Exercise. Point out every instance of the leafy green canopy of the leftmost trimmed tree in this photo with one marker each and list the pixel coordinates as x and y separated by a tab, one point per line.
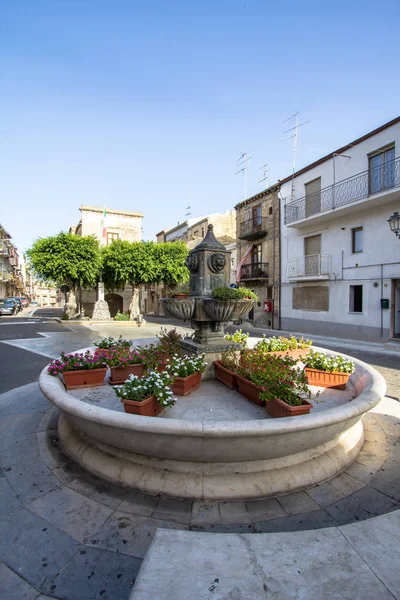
66	259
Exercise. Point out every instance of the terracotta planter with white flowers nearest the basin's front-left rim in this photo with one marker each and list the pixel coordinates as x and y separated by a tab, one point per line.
147	396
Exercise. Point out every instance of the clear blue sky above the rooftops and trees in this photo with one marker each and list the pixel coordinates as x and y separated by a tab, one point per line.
139	105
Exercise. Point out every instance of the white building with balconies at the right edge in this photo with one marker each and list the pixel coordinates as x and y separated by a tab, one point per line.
340	263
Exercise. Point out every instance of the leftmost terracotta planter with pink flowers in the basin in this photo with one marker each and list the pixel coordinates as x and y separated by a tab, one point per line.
79	369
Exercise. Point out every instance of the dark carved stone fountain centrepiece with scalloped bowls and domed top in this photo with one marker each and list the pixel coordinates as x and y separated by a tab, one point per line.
209	266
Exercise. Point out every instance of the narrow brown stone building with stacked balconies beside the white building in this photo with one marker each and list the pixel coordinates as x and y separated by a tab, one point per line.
258	254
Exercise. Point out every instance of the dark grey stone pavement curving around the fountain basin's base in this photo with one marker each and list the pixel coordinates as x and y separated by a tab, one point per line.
68	535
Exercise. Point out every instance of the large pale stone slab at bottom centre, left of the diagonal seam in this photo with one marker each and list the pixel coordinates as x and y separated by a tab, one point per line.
310	564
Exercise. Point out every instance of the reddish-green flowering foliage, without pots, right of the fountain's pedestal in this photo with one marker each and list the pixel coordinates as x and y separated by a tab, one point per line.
278	377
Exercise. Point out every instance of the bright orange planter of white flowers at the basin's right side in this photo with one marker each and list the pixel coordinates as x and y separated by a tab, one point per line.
328	371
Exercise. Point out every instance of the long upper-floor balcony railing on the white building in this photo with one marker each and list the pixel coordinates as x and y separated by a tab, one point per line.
363	185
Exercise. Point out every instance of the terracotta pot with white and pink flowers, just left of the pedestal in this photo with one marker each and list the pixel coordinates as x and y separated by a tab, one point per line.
186	371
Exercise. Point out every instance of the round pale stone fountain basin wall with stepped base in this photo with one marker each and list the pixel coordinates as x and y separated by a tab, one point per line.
215	460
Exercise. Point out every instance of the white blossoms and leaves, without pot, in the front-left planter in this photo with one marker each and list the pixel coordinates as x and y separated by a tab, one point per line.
153	384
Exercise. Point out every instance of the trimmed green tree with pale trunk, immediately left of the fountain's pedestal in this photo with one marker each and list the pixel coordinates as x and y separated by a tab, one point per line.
143	263
